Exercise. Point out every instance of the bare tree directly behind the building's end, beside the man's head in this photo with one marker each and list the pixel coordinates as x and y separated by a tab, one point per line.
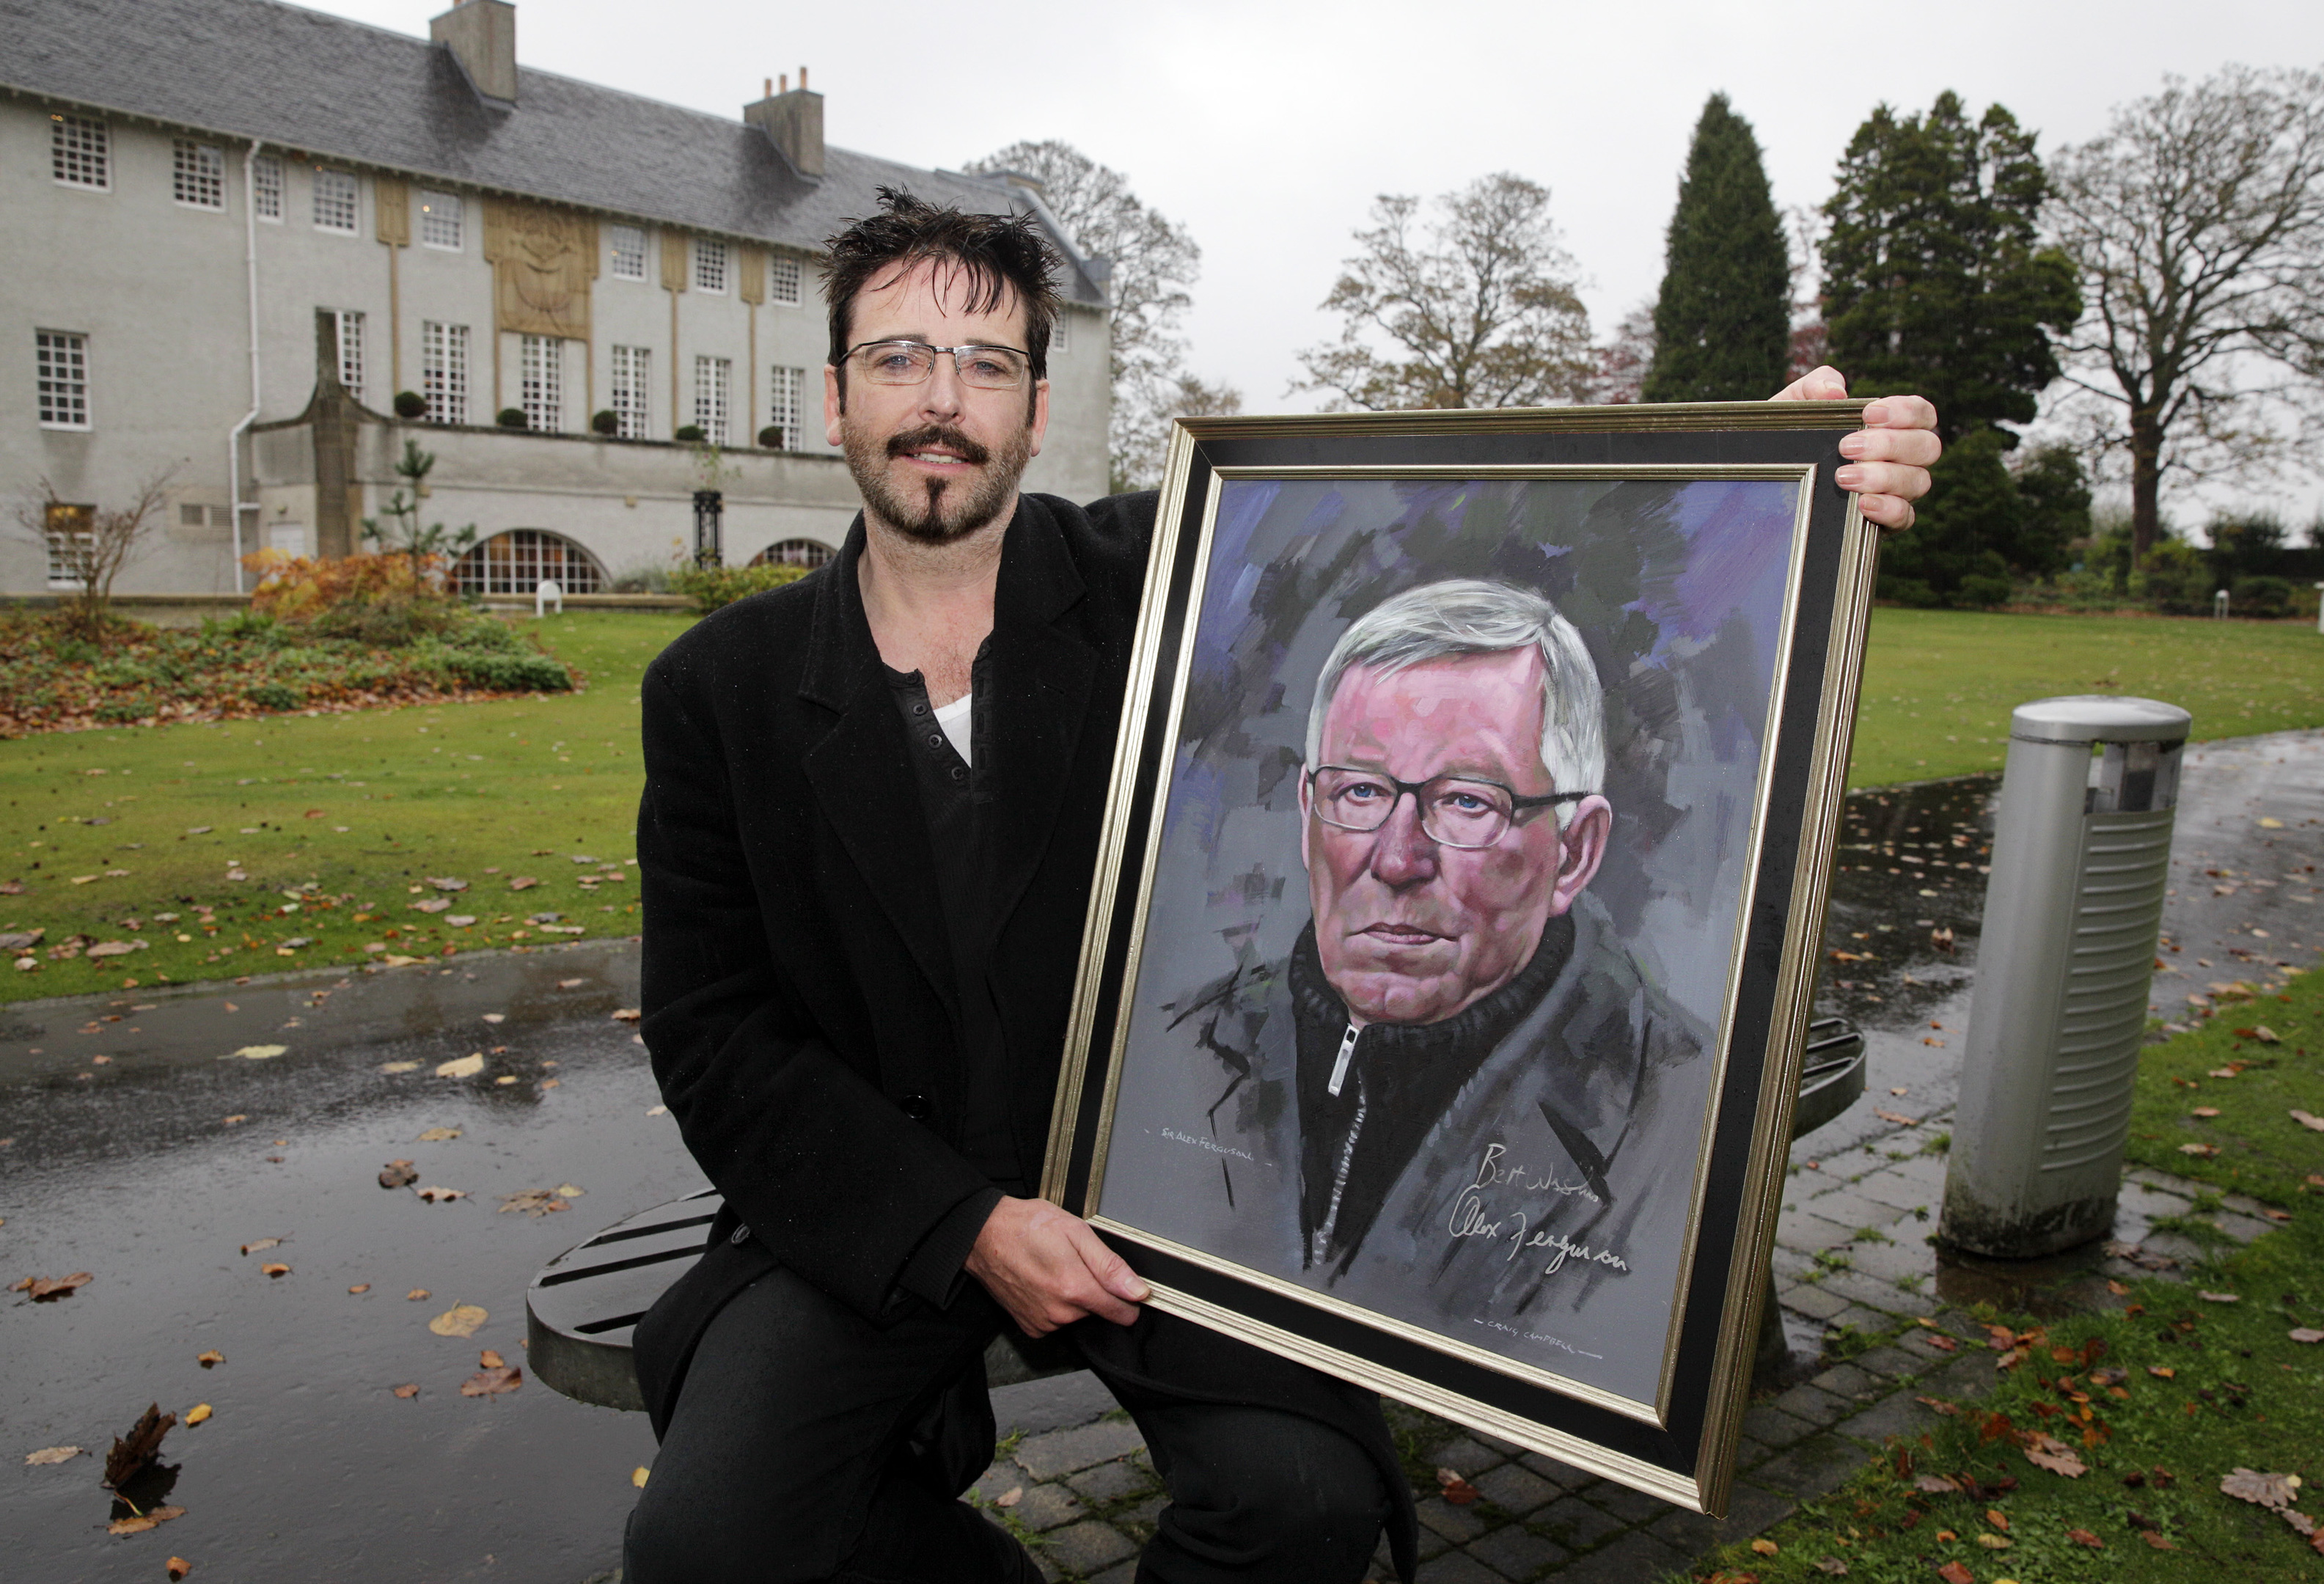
1154	261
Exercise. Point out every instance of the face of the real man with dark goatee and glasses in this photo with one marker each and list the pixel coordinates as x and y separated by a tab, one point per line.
935	461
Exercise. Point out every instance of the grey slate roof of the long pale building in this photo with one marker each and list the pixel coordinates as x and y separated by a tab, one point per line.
347	92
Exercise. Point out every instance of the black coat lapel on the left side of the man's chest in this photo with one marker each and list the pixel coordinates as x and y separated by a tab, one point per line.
863	772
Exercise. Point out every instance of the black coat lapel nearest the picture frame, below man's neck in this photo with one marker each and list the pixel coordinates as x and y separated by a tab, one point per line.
1042	679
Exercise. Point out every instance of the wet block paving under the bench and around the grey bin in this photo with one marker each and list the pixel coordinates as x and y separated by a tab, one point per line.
1853	1272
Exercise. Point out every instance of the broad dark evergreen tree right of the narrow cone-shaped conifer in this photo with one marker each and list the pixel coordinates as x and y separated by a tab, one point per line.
1935	273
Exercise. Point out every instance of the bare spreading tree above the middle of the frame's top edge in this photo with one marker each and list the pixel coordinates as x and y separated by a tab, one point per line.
1477	310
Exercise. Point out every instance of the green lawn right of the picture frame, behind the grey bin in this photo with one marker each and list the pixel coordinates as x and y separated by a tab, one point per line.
1939	686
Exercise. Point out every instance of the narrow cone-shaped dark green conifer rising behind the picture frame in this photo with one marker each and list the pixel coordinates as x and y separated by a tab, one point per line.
1723	324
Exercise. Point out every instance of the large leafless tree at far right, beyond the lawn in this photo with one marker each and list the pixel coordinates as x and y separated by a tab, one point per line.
2197	224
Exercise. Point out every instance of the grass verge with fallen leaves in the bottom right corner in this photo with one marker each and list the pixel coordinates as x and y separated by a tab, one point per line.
2158	1404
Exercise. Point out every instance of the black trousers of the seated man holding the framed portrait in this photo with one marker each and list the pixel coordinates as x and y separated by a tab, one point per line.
815	1446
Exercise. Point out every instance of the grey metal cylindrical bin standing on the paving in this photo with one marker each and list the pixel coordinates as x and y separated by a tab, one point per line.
2065	965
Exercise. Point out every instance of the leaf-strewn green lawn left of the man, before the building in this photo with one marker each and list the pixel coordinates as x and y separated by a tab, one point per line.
131	835
